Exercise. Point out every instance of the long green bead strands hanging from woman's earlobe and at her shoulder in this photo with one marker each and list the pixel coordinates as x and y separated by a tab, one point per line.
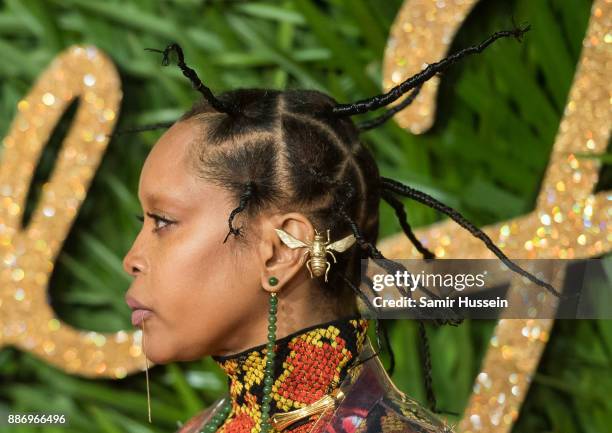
223	412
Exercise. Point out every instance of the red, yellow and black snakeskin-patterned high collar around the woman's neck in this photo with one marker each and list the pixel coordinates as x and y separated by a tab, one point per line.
309	364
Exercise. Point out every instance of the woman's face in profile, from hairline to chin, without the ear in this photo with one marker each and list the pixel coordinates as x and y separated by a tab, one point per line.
198	288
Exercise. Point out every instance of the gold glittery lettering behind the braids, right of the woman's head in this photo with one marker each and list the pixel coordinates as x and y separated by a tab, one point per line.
569	221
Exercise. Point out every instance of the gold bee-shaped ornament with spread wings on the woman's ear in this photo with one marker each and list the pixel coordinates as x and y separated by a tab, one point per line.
318	250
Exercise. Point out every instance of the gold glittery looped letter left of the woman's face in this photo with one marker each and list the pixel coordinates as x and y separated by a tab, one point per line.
28	254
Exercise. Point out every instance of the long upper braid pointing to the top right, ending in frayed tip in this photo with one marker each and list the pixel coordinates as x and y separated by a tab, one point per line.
418	79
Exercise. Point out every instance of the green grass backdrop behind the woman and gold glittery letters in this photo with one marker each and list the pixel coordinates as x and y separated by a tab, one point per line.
497	117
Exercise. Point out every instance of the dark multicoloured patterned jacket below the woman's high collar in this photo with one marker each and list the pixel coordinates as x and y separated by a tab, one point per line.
371	404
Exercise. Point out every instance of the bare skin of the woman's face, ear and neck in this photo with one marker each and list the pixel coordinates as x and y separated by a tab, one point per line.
207	297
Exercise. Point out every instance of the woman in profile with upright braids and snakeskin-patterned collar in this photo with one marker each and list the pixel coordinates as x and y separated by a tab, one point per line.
278	168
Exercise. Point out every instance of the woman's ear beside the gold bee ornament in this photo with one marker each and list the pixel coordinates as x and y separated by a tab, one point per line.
277	259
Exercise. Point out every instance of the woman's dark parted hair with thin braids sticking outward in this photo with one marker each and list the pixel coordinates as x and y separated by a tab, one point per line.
299	149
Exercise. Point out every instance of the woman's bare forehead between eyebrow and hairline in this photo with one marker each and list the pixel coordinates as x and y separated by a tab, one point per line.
166	175
